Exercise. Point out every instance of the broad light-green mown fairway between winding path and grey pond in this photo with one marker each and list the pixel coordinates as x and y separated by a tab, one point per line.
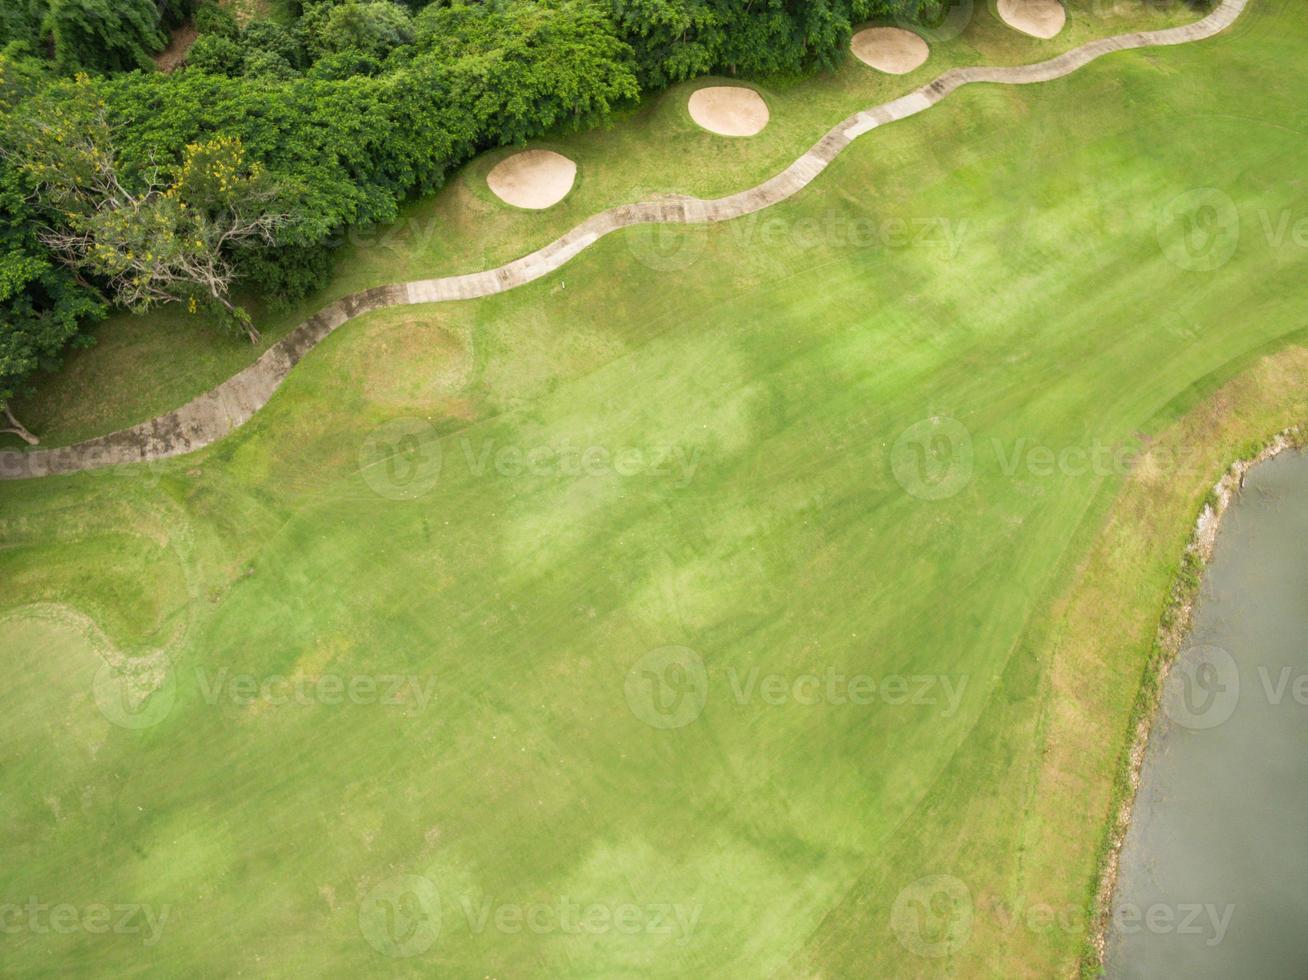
785	366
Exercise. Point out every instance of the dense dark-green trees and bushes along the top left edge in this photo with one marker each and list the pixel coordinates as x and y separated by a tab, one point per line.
342	108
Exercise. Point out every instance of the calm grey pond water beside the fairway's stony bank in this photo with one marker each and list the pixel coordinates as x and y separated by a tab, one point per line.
1214	872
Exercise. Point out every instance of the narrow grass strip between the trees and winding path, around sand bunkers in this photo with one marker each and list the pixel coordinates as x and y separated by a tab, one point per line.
145	366
